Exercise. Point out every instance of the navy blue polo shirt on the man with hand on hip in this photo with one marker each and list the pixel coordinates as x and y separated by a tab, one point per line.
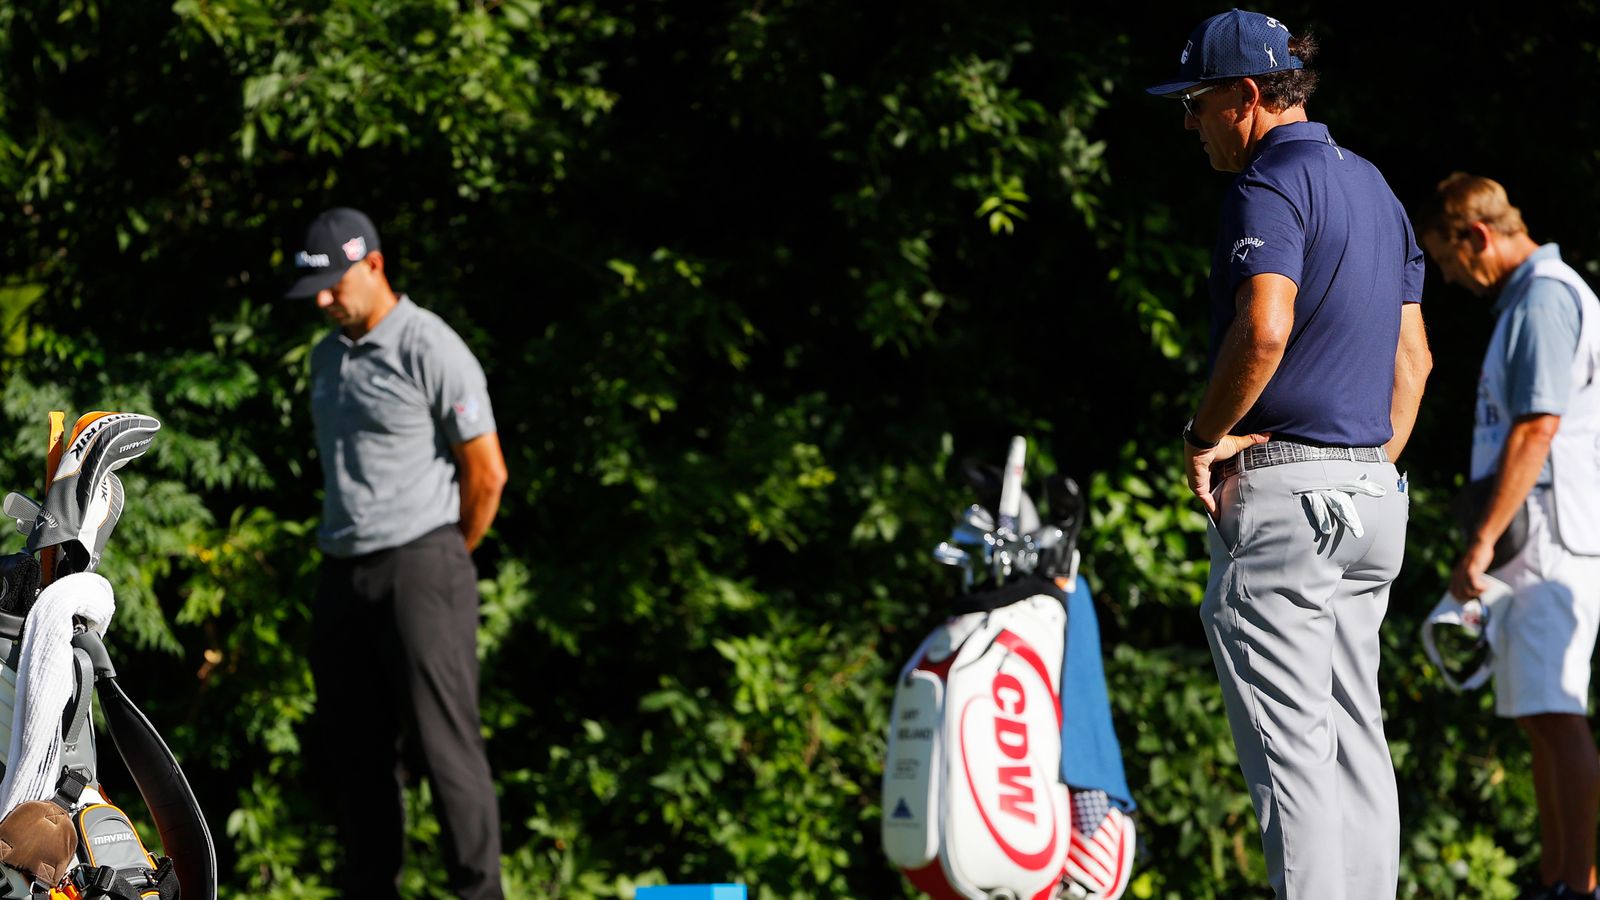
1327	220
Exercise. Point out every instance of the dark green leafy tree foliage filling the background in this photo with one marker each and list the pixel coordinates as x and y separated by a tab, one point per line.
748	281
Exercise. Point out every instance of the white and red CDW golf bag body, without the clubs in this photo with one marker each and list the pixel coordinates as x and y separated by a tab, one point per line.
974	803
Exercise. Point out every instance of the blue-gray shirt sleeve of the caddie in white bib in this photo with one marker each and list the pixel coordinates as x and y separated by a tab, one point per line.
1542	342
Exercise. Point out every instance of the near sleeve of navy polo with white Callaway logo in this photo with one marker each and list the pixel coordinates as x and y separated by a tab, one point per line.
1262	233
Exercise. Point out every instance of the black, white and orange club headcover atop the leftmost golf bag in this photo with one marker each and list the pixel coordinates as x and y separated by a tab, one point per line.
86	499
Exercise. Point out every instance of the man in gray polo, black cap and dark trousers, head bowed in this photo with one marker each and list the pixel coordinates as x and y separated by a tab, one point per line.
412	480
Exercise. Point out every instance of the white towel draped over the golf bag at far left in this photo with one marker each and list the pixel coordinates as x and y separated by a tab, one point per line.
44	685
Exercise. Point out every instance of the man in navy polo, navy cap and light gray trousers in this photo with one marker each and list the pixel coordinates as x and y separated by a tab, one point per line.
1318	368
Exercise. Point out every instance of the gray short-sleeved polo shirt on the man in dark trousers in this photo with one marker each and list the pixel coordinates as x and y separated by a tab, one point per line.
388	409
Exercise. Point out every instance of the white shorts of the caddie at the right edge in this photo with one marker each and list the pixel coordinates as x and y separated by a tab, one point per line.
1548	629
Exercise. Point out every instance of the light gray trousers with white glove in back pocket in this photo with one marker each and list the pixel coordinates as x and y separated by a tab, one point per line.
1292	616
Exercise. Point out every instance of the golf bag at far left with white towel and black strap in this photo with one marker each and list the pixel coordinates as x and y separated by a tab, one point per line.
60	834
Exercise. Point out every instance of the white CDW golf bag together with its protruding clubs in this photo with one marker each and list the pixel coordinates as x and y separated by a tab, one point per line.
974	802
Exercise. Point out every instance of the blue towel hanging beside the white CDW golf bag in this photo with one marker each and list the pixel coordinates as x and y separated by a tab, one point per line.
1090	753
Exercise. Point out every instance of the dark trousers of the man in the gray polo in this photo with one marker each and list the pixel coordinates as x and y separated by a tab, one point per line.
394	654
